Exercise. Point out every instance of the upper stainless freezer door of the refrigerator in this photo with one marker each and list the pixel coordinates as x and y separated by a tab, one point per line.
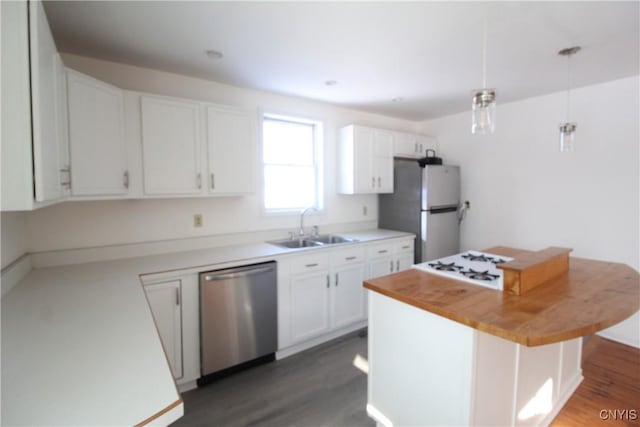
440	186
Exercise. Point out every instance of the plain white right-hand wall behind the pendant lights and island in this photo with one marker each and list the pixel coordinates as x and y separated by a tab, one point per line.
525	193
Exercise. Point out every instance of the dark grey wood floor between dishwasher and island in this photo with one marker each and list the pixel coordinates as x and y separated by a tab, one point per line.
318	387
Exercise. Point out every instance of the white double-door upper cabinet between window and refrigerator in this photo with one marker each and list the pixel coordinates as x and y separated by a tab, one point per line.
365	160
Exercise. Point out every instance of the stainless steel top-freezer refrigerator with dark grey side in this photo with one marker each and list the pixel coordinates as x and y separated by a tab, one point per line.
425	202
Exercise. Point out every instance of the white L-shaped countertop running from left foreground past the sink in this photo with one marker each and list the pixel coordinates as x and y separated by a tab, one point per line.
79	345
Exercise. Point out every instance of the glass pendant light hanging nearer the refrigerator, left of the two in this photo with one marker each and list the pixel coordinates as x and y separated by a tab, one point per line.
483	103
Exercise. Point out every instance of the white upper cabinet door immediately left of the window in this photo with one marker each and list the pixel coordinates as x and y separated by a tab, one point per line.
232	151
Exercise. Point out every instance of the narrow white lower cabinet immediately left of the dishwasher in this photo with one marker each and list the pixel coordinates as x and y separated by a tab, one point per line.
174	305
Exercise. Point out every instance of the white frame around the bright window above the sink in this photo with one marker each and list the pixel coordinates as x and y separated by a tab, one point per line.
318	161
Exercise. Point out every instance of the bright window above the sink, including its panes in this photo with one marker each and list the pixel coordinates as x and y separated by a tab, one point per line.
291	149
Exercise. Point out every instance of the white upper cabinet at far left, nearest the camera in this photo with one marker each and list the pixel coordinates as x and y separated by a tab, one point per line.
33	132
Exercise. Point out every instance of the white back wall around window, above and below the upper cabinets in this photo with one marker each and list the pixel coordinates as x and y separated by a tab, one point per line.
88	224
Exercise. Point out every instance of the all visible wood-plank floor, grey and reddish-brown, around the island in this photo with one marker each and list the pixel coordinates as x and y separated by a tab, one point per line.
321	387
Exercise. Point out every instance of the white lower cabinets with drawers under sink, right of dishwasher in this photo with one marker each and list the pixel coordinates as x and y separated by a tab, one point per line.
321	293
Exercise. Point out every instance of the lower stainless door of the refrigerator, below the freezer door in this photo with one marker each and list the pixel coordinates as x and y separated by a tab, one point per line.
440	234
